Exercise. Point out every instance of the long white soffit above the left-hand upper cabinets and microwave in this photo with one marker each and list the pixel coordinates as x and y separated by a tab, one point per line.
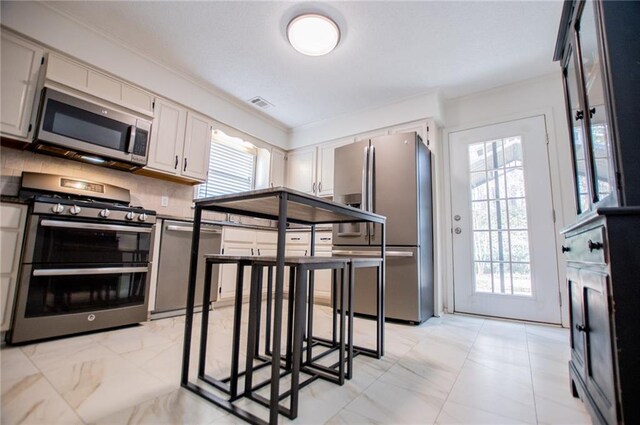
66	35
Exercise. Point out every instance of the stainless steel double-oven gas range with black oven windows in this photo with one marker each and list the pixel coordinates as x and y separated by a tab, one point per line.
85	263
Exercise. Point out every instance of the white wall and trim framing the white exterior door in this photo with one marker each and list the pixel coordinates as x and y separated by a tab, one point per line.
542	95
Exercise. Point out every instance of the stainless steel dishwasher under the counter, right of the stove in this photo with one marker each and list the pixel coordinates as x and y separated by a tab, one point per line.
173	268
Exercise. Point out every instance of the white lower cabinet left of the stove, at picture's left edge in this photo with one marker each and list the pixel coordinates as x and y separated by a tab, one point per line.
12	223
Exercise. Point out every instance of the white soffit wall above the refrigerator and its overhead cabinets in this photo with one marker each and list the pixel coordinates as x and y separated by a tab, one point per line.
411	109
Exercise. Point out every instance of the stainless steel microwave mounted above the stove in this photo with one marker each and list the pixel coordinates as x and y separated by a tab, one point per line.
79	129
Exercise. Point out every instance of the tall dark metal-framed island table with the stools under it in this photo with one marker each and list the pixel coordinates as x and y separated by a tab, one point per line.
286	206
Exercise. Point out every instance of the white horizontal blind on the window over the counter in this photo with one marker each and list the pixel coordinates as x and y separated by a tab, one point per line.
231	170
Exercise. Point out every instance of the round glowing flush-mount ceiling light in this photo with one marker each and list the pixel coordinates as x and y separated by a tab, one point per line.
313	35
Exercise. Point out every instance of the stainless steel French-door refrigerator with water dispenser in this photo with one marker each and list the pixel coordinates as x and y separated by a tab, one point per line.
391	176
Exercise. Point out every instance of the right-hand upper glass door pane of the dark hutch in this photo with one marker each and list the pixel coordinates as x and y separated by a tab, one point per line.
599	125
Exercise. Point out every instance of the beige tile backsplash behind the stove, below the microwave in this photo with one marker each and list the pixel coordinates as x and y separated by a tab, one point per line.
145	191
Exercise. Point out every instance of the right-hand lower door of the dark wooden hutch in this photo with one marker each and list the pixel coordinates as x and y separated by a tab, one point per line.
600	379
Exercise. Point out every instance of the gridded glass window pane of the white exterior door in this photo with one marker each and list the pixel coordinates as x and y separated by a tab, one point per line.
499	225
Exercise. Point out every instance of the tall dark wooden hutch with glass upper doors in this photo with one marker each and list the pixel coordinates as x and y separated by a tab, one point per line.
599	51
